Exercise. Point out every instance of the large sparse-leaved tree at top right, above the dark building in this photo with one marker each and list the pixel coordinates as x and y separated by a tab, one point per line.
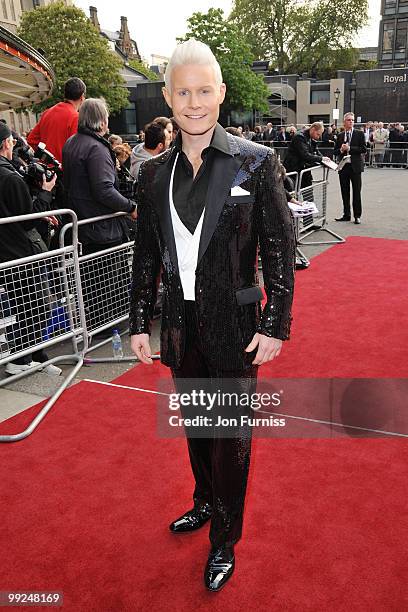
299	36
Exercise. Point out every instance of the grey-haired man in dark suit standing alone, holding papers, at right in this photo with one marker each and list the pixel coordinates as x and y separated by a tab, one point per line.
351	142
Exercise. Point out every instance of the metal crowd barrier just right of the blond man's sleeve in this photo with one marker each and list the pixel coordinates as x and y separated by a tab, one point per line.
317	193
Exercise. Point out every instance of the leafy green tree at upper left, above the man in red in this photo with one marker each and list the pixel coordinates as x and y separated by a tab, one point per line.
74	47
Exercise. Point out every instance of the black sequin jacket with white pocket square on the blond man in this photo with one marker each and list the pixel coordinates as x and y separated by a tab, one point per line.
233	227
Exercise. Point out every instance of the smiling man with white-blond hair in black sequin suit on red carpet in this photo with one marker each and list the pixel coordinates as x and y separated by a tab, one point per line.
203	207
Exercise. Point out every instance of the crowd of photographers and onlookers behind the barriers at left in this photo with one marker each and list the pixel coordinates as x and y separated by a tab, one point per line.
97	176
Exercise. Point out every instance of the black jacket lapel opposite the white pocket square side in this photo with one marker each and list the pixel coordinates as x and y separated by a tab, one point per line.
161	200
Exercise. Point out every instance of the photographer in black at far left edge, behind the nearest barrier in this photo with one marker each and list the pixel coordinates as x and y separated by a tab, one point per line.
26	292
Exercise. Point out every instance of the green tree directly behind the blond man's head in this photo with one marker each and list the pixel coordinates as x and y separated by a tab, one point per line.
245	89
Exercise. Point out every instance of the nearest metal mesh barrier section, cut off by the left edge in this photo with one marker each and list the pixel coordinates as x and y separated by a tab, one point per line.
41	305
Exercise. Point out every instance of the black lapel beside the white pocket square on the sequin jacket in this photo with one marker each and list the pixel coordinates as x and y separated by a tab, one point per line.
223	172
